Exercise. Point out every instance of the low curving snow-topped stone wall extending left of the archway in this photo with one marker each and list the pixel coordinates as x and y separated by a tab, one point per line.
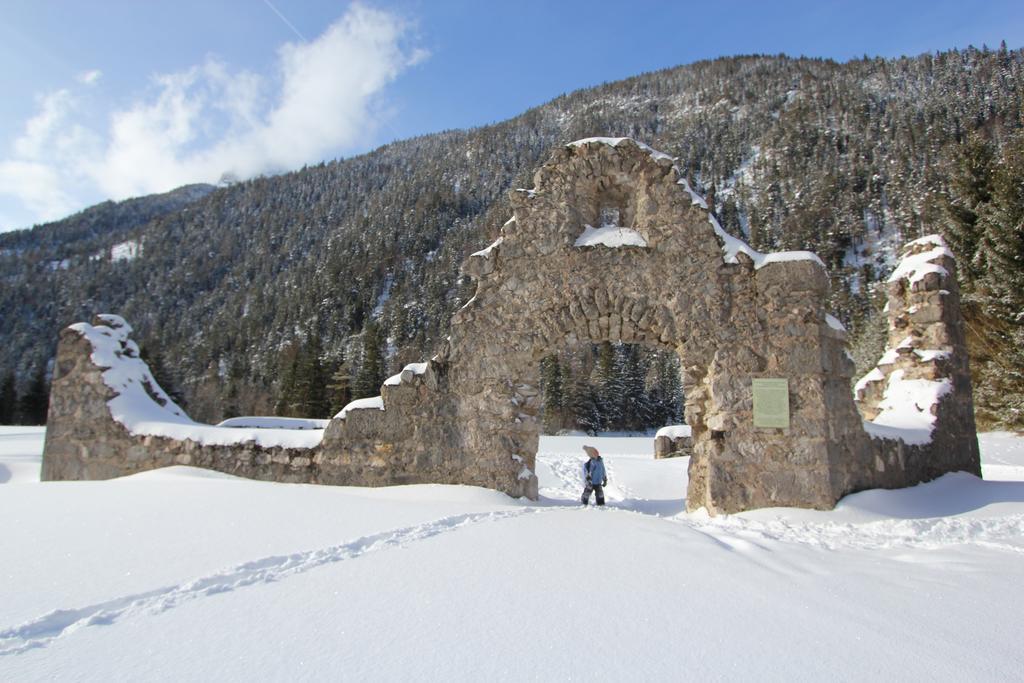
109	417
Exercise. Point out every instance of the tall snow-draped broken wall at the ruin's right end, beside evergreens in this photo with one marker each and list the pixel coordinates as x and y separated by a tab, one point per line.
917	402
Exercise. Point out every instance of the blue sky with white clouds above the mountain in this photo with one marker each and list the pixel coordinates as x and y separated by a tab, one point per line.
123	98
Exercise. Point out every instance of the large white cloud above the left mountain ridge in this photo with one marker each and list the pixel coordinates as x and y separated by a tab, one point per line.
198	124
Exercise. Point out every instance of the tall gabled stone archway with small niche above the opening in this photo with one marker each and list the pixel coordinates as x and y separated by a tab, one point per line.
667	278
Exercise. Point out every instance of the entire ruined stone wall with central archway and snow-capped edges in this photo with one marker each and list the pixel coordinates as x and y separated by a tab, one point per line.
611	245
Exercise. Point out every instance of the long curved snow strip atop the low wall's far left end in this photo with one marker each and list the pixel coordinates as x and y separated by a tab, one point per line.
146	410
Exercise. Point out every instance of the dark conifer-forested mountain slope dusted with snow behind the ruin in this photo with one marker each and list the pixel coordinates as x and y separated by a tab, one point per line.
335	274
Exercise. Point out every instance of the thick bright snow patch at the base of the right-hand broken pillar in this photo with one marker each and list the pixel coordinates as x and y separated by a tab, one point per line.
908	409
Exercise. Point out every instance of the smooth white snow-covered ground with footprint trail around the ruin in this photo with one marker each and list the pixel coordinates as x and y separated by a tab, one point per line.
187	575
